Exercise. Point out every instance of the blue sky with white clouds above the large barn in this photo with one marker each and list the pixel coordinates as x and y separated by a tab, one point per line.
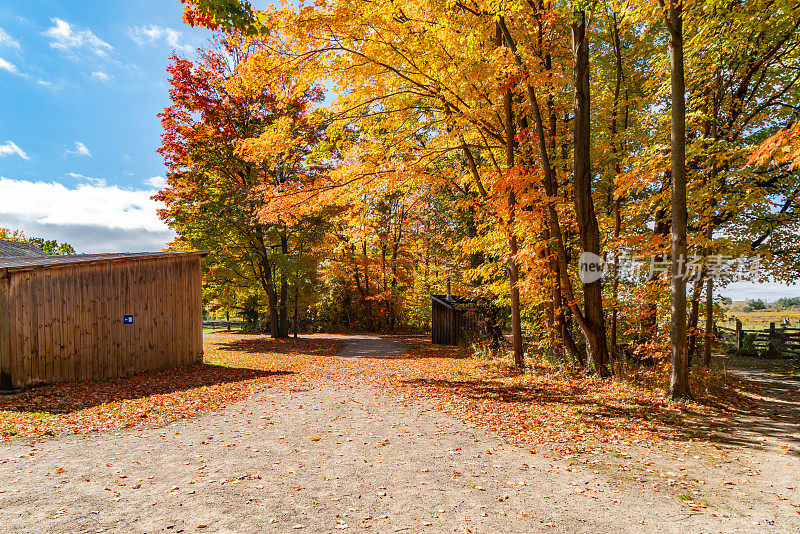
81	83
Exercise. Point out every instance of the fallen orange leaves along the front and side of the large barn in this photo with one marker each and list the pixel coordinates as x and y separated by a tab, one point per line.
236	366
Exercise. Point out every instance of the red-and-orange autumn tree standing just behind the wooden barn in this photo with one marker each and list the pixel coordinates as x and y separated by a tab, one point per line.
232	154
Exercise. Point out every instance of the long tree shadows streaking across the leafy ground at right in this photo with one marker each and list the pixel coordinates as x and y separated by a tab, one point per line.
772	415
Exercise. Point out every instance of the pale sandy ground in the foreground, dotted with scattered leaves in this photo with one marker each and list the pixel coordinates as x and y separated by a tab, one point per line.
328	457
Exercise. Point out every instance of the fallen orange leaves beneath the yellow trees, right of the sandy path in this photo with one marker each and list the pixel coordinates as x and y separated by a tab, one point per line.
573	414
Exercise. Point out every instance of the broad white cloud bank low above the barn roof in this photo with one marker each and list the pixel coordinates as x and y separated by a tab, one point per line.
94	218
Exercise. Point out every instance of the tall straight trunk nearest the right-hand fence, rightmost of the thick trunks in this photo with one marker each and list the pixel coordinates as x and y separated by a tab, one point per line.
679	377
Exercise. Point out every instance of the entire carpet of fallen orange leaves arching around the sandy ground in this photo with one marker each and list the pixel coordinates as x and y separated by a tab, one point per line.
545	407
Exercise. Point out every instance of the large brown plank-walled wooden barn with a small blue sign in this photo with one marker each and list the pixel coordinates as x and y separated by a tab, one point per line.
87	316
